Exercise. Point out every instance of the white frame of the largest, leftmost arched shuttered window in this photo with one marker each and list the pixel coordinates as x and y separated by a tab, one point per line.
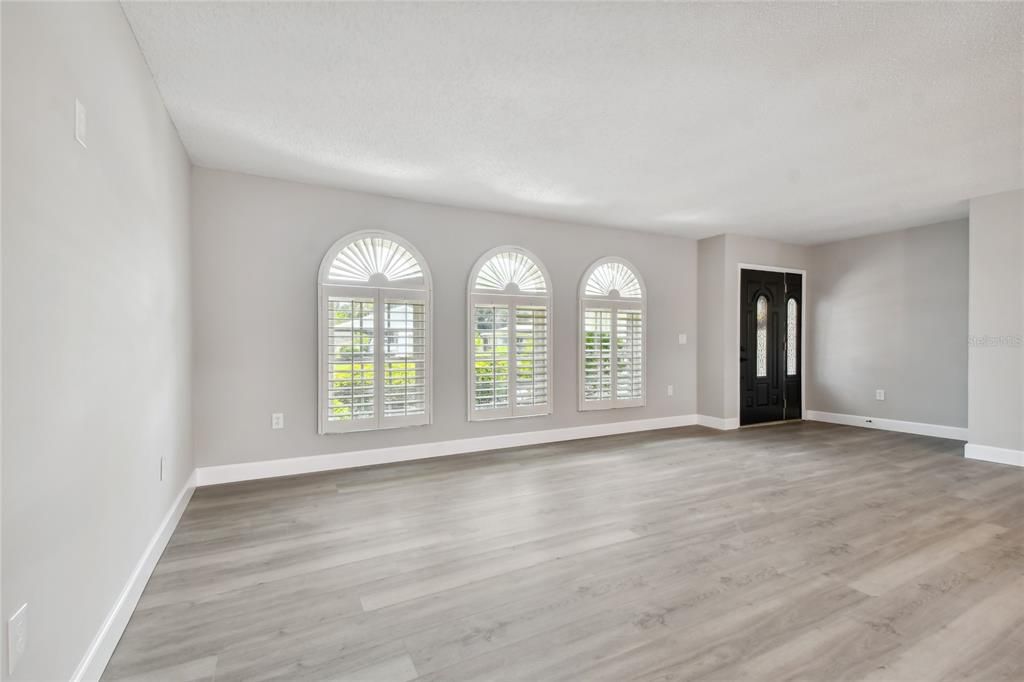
378	289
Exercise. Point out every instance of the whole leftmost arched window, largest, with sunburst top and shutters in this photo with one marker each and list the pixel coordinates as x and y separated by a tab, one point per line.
374	296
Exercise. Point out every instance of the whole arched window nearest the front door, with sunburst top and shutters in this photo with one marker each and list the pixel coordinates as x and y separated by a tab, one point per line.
613	336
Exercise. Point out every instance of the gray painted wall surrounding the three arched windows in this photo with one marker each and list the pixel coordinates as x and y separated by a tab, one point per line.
258	244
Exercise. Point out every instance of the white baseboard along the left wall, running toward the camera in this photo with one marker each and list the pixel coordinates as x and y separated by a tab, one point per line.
100	652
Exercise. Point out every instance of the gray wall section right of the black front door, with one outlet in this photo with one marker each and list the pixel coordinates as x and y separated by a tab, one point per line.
890	312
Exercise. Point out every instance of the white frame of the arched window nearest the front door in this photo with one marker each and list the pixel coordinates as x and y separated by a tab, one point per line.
615	304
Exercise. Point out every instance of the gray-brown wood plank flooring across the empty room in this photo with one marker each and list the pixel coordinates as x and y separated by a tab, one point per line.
800	551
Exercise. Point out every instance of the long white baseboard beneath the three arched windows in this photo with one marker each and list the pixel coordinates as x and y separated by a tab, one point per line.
230	474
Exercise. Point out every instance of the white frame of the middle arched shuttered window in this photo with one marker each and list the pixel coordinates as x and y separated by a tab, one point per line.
513	299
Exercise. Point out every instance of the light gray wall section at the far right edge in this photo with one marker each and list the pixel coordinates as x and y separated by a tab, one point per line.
997	322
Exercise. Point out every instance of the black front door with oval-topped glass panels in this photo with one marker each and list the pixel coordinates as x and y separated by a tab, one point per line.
772	317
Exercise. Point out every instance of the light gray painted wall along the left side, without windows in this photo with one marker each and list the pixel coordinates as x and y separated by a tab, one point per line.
96	322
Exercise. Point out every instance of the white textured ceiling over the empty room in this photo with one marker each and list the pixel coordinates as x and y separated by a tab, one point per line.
799	122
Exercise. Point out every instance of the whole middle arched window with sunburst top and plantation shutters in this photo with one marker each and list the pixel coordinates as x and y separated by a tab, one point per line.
509	336
